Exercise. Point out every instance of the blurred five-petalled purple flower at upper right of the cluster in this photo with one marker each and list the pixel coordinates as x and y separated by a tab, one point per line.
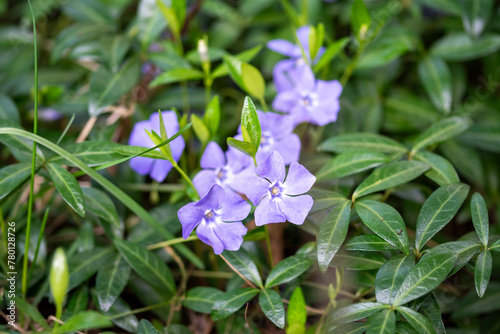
310	100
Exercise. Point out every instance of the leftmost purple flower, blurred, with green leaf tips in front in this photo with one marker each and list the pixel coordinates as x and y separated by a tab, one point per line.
156	168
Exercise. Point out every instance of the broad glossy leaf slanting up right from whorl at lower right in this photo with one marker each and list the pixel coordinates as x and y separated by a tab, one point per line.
425	276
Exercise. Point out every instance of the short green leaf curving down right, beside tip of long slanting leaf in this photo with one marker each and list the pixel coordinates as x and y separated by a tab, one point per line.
442	171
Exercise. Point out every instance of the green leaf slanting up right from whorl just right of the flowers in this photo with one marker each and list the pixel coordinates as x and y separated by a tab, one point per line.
390	176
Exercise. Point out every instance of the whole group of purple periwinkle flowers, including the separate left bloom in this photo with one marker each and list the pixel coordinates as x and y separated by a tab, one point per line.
229	180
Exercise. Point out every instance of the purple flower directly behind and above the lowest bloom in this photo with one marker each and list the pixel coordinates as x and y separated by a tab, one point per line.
225	170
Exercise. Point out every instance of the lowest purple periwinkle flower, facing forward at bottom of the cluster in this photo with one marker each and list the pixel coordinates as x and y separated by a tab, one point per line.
218	217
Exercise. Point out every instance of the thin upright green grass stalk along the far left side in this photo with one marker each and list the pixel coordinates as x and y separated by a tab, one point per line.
33	163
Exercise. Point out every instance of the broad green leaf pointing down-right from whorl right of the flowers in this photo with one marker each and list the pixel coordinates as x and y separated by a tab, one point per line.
385	221
